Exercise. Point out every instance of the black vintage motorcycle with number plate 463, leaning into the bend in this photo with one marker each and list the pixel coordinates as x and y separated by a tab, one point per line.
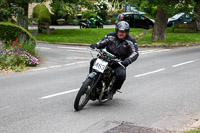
99	82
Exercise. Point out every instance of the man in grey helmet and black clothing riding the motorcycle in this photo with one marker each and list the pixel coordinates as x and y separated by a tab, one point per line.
124	47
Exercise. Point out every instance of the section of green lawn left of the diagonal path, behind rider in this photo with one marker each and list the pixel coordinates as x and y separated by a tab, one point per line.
81	36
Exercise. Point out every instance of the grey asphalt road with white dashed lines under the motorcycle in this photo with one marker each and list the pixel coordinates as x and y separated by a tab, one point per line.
161	91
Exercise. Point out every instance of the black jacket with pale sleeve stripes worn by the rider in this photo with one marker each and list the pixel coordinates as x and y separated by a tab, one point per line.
125	49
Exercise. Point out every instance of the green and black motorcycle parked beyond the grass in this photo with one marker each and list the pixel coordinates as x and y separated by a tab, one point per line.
91	23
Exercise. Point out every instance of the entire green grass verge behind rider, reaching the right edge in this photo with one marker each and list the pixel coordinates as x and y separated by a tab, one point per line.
89	36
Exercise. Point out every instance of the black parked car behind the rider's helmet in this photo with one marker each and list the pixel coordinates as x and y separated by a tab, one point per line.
136	20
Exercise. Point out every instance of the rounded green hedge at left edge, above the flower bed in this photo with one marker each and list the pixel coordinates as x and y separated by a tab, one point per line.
11	32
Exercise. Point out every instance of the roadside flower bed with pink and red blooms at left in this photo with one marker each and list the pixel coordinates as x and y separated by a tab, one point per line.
15	55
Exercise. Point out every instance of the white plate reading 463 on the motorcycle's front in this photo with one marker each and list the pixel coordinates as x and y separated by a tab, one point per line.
100	65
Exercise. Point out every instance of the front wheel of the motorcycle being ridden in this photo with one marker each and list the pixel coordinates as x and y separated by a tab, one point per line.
82	97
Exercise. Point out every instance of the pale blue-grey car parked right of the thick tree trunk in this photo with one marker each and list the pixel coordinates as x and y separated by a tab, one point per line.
180	18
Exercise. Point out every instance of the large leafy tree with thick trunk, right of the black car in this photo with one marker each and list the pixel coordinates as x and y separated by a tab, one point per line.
165	9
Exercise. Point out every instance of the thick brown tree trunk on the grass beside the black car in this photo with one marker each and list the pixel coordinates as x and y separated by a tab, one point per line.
159	30
